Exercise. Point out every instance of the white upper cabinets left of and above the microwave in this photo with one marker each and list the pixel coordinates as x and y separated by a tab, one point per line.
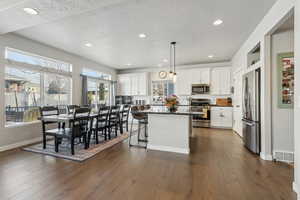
185	79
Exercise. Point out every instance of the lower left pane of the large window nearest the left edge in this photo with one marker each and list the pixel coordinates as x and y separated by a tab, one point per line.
22	95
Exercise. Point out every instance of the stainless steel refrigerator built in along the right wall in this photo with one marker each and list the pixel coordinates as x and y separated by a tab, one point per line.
251	111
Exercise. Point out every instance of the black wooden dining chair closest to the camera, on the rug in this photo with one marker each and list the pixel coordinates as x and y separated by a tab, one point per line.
79	128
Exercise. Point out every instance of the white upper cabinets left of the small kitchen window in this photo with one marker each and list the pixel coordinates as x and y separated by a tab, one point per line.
132	84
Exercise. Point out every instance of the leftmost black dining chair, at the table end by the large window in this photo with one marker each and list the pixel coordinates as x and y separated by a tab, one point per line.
48	111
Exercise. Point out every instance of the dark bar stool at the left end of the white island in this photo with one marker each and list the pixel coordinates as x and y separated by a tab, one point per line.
142	119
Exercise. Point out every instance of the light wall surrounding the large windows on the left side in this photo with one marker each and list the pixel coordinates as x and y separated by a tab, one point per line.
19	135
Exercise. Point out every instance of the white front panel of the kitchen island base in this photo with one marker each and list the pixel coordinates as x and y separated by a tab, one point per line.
169	132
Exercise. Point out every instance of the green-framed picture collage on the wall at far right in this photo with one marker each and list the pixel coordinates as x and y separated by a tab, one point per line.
286	73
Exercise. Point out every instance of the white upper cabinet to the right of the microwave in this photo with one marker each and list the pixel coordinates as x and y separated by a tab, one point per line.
221	81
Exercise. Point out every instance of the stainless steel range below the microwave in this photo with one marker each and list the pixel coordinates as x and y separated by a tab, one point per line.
201	105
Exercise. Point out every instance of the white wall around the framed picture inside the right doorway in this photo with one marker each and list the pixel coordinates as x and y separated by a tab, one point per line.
282	119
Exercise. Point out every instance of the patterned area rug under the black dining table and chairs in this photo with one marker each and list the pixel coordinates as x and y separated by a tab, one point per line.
81	154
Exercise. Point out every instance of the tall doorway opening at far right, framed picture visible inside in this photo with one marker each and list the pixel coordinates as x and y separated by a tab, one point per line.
282	84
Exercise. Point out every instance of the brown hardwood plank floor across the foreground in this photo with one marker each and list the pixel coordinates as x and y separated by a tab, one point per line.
218	168
